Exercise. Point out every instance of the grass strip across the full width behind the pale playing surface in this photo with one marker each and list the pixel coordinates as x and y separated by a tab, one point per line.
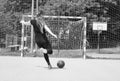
105	53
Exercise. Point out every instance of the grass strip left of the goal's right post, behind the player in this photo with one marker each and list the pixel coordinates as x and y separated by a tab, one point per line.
62	53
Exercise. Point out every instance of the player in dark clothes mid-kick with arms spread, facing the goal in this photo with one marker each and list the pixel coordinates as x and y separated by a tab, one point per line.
41	39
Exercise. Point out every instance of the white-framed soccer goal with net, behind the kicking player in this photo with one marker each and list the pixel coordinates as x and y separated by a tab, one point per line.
71	32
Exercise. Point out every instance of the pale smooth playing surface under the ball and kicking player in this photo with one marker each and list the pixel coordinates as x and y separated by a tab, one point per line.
76	69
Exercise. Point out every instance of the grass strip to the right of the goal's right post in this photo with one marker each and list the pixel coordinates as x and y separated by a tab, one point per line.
104	53
